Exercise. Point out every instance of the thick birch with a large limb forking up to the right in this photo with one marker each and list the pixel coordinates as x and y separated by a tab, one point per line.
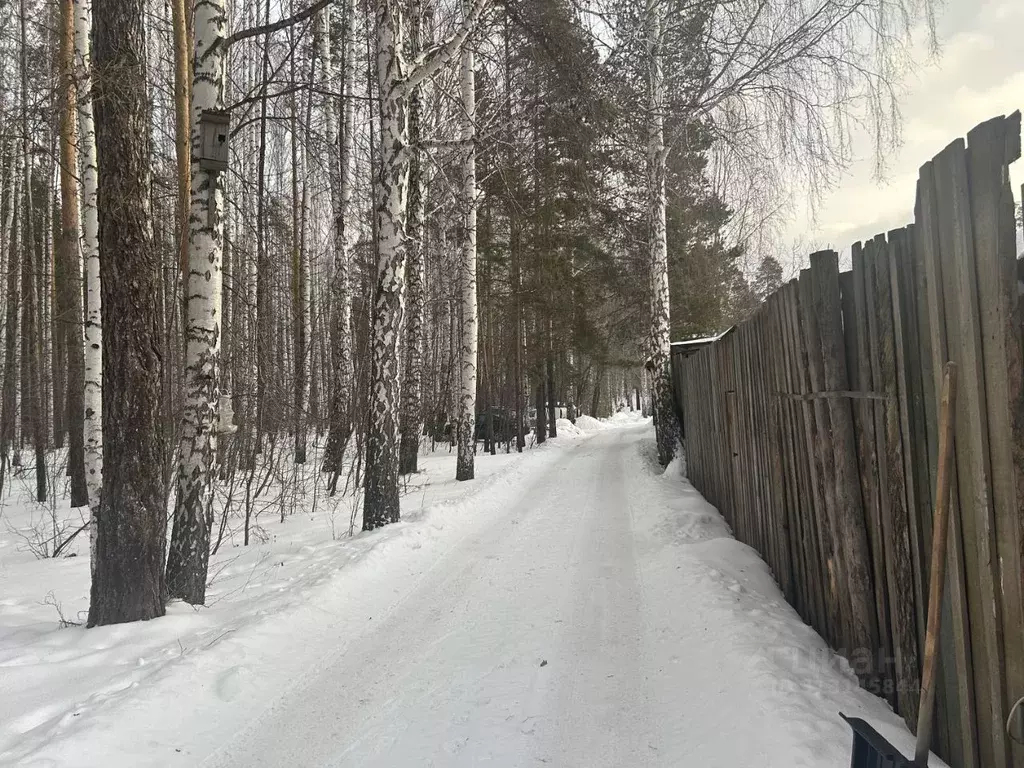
396	78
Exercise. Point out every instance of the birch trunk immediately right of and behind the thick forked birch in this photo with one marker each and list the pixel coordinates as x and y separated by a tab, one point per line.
412	395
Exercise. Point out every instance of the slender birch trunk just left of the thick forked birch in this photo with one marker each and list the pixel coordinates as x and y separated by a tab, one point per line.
342	296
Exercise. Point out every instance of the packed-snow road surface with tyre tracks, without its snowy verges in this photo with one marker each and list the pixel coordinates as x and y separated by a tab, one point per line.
526	646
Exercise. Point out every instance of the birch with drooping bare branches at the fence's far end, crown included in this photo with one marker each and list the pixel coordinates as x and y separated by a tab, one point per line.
777	82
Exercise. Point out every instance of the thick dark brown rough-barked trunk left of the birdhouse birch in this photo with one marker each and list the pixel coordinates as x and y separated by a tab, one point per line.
129	583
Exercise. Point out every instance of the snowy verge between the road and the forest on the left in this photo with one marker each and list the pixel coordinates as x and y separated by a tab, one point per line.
303	581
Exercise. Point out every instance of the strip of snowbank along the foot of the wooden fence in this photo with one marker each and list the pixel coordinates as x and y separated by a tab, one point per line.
743	666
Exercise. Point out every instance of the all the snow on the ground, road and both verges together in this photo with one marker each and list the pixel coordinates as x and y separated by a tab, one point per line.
573	607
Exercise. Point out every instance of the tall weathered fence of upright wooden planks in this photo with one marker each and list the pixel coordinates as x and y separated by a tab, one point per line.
813	428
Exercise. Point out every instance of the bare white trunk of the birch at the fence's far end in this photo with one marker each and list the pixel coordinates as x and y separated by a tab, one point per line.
666	424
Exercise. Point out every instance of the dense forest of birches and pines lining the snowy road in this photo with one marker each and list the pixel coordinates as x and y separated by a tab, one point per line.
247	242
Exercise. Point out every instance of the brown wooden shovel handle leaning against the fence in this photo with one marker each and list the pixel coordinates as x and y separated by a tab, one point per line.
941	531
